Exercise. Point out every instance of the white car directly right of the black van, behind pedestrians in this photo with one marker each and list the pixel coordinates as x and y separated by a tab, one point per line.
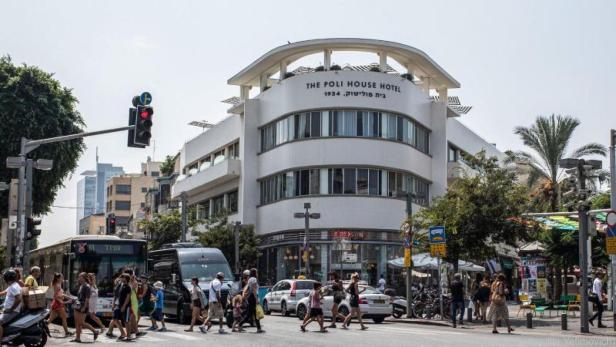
285	294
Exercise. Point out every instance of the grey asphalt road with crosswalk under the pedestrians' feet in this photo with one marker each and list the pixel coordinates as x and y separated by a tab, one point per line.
281	331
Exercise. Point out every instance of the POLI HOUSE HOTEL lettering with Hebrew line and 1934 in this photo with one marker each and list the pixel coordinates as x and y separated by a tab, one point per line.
354	88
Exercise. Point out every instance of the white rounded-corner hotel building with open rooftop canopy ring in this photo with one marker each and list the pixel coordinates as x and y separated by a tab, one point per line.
347	140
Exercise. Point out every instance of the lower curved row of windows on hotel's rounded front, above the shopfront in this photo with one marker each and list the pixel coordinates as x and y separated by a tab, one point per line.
344	180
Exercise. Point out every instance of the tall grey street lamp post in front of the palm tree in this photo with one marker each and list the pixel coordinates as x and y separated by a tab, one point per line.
581	168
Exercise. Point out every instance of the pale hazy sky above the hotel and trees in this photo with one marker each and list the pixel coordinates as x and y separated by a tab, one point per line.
514	59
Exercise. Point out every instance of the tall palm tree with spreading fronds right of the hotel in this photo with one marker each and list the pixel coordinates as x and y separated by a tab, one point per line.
549	137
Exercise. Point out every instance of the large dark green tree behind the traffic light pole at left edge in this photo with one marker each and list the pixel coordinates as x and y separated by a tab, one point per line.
35	105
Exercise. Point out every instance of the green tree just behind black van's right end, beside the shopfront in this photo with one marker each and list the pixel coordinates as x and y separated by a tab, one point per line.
219	234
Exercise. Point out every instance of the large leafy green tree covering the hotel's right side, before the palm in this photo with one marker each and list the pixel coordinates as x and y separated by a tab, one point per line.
478	211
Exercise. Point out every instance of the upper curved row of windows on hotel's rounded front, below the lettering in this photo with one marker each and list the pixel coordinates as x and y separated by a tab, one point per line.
354	123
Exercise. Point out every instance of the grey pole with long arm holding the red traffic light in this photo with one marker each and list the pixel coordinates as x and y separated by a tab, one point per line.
24	192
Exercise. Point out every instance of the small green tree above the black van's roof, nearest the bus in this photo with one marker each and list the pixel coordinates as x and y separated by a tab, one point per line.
163	229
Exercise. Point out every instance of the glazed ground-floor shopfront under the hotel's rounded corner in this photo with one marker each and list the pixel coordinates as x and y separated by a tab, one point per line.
366	252
